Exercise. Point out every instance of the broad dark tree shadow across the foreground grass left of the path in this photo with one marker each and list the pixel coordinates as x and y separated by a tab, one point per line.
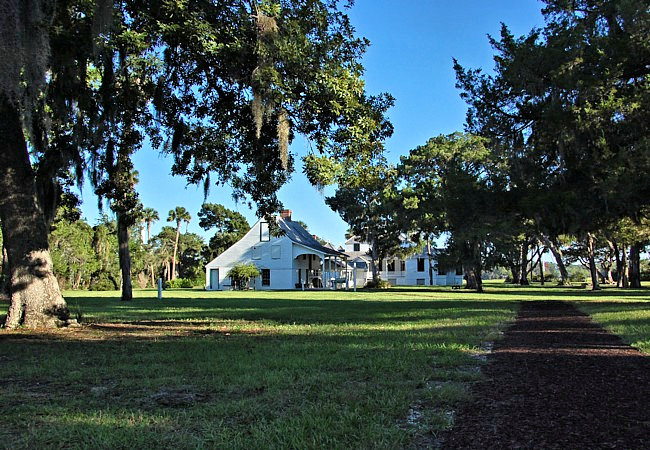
367	377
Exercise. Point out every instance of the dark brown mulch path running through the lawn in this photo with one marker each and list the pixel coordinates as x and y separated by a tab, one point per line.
557	380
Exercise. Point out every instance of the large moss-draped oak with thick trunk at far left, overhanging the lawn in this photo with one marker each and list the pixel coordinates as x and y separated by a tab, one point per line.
237	80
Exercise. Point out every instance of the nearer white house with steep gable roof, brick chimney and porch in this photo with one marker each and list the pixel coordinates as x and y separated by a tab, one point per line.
294	260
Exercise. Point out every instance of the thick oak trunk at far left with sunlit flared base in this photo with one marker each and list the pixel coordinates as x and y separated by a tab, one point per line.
35	298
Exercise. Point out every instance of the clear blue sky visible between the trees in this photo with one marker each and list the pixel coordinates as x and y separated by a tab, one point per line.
412	46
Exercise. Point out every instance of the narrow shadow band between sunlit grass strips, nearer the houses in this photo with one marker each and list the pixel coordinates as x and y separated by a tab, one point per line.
289	311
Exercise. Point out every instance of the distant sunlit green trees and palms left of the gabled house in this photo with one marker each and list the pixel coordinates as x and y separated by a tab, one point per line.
86	256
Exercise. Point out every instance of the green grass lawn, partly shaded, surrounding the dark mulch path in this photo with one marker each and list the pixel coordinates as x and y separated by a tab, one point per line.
327	369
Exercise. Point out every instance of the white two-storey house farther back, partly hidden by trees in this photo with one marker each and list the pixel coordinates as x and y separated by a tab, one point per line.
413	270
